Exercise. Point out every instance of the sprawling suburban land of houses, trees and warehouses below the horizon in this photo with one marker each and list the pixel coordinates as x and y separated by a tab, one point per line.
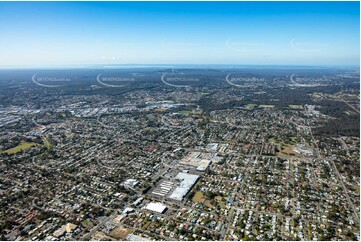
263	160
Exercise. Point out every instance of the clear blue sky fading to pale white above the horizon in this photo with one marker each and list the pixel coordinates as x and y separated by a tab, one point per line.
244	33
